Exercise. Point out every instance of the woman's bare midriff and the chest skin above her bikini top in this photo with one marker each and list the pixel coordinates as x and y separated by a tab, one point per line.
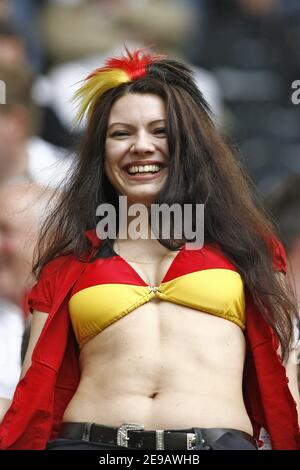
163	365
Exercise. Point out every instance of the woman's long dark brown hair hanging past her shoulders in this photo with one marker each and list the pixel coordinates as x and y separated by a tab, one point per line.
202	169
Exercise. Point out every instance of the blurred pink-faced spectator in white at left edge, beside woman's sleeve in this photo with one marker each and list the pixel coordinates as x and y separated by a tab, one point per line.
21	211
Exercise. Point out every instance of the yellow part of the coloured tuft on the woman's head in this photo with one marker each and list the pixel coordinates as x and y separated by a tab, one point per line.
94	87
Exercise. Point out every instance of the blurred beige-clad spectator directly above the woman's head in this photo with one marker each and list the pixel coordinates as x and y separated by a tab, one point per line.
73	29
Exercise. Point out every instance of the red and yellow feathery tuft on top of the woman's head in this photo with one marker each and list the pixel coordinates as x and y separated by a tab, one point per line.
115	72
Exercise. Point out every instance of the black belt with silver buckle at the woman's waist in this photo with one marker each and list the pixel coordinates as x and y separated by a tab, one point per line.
133	436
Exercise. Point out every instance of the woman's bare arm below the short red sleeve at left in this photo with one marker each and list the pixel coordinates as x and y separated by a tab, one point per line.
38	322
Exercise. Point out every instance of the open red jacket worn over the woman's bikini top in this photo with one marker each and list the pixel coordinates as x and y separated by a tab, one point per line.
43	394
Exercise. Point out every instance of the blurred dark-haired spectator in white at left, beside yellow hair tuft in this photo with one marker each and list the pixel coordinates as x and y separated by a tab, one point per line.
22	153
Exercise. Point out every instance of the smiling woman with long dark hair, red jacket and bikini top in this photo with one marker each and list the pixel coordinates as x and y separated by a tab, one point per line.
159	345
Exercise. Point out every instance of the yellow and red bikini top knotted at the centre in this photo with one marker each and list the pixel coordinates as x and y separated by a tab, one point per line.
110	288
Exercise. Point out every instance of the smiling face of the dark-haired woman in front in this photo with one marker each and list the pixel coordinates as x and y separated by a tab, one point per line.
136	149
